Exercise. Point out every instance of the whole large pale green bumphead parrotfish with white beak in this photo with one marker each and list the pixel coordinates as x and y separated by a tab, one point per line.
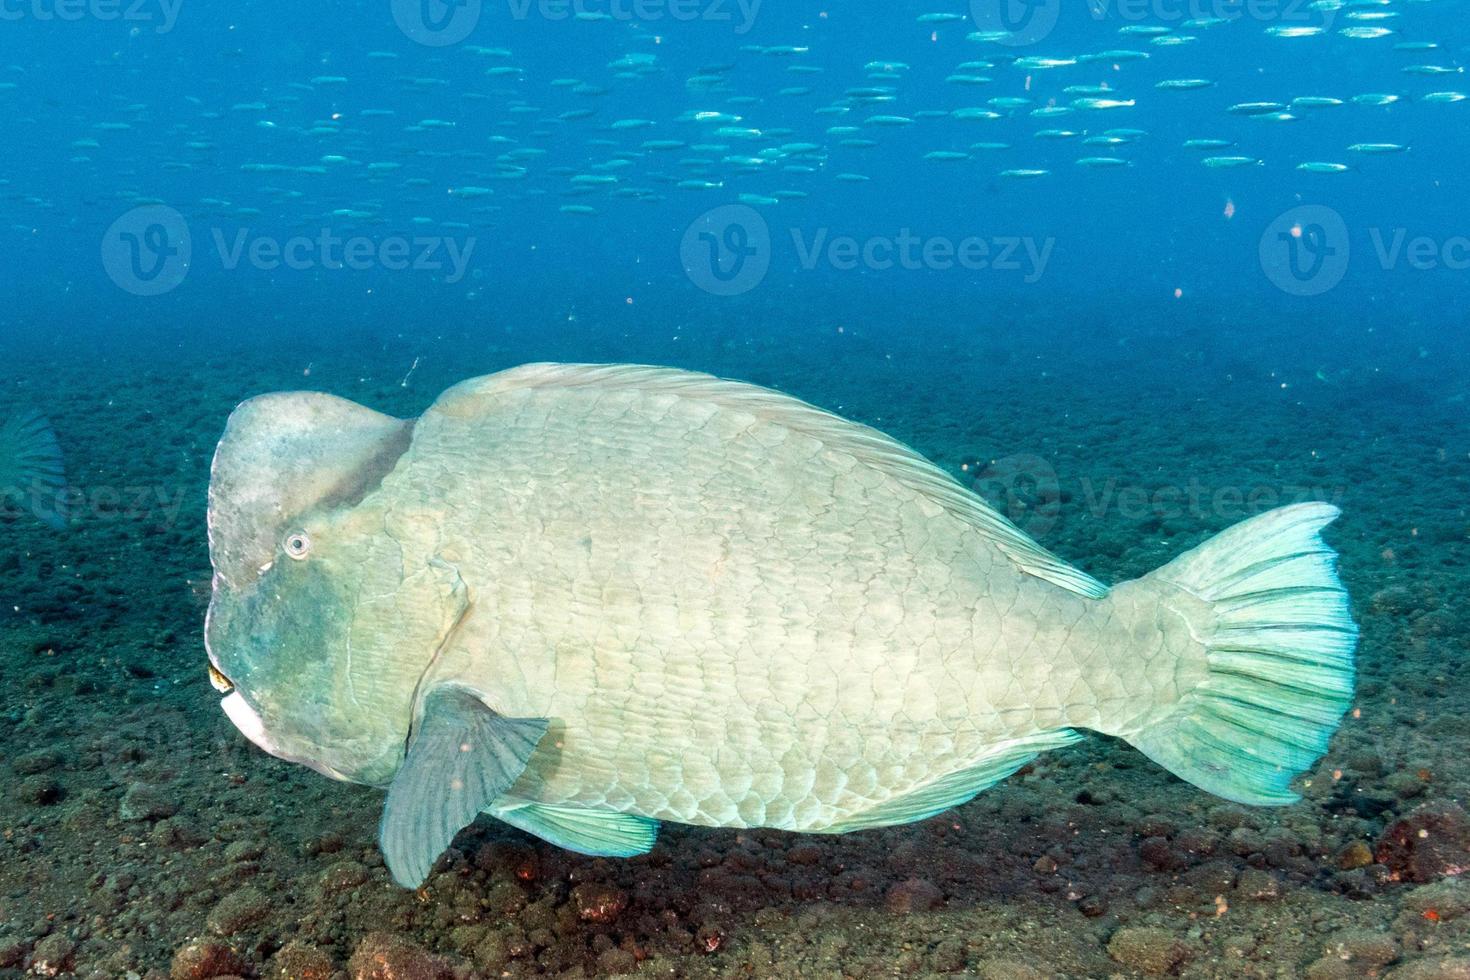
590	599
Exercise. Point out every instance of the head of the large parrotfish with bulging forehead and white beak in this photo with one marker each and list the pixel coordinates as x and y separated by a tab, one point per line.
321	621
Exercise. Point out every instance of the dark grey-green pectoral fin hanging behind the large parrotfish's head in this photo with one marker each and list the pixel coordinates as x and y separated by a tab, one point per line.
462	756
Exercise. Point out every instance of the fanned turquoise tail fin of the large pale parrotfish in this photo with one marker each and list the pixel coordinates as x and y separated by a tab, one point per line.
1280	659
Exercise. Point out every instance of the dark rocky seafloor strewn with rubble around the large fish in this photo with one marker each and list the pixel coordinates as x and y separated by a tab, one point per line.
142	837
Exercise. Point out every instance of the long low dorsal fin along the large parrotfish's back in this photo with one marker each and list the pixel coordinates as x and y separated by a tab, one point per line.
868	446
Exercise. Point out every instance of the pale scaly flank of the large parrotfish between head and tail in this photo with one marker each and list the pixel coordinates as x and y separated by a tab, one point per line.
642	696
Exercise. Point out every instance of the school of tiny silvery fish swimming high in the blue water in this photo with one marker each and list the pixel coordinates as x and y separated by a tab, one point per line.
315	152
